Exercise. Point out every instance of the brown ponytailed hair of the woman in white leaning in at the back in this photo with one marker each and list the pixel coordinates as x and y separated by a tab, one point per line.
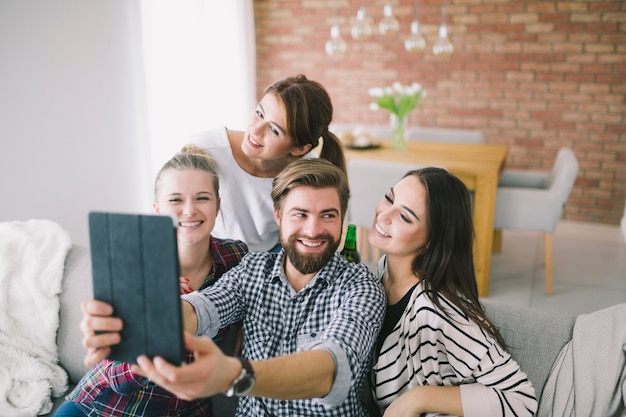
309	112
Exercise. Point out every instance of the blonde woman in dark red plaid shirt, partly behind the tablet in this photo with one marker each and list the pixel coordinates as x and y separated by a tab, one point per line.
188	187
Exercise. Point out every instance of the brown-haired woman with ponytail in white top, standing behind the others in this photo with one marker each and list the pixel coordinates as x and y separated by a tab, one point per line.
289	122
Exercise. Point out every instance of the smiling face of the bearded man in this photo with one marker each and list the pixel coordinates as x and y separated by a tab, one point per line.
310	224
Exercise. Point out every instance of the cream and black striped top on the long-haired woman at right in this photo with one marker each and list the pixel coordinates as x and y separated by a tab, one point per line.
427	347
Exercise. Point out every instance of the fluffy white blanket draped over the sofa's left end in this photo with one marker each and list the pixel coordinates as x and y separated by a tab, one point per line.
32	258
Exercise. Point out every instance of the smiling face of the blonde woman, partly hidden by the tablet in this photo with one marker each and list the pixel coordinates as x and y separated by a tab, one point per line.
190	195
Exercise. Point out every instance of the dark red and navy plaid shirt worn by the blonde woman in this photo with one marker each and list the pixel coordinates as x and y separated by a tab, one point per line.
111	389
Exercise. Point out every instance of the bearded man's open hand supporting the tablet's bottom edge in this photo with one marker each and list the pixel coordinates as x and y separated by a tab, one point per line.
211	373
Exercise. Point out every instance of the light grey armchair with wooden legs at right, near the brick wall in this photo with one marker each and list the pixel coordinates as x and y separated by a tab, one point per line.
534	201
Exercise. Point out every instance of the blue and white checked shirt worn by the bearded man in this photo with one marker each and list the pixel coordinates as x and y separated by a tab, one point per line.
340	311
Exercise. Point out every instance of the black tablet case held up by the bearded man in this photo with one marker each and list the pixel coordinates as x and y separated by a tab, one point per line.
135	269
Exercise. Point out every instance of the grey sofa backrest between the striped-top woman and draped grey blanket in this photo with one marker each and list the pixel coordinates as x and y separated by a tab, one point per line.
533	337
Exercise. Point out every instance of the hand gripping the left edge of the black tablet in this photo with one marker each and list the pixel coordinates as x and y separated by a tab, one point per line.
97	318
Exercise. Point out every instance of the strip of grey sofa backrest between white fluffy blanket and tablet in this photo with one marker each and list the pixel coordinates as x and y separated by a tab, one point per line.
76	287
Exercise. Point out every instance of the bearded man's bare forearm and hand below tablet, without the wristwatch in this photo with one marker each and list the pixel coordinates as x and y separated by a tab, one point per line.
301	375
